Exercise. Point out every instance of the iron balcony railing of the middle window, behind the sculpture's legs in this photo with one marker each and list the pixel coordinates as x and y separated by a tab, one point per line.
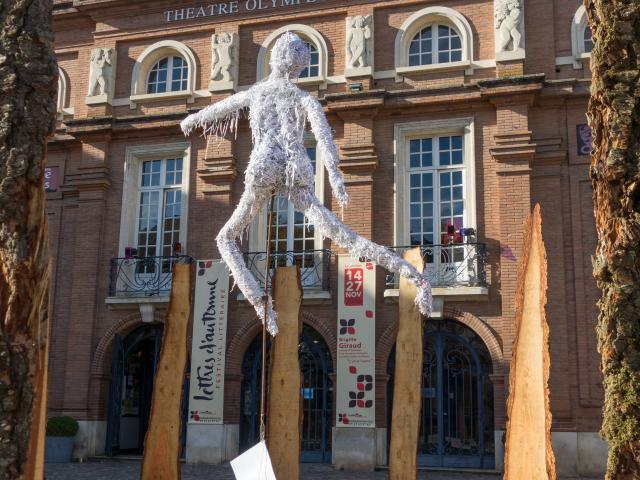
315	266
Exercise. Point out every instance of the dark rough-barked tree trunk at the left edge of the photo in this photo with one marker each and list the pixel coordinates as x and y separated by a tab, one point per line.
28	77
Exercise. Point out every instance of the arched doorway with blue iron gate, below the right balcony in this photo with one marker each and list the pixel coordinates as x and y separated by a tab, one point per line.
456	426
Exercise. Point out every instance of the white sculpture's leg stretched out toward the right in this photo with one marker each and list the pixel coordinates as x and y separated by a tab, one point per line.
329	226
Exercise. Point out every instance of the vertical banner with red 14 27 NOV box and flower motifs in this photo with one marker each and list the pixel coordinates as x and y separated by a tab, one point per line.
355	398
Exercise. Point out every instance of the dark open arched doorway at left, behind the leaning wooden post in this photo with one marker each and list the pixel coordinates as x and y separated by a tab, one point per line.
133	367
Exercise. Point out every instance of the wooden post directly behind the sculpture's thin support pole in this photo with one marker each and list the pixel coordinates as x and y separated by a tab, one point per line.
284	413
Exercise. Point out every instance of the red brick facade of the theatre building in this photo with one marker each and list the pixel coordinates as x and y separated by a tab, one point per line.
525	112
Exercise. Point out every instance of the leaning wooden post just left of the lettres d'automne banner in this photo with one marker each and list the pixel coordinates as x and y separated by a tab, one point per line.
161	458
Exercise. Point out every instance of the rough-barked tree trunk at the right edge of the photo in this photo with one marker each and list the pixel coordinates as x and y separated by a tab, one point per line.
614	116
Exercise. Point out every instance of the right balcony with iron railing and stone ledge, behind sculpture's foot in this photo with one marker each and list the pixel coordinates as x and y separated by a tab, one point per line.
455	270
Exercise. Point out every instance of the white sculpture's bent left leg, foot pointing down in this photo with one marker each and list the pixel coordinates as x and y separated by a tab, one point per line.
250	204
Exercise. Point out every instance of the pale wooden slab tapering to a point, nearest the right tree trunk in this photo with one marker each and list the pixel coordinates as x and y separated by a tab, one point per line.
528	452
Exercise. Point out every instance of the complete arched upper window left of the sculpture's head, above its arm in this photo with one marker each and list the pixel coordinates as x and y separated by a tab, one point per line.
166	69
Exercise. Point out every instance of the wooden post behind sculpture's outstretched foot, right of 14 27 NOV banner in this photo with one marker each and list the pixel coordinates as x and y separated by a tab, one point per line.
407	398
